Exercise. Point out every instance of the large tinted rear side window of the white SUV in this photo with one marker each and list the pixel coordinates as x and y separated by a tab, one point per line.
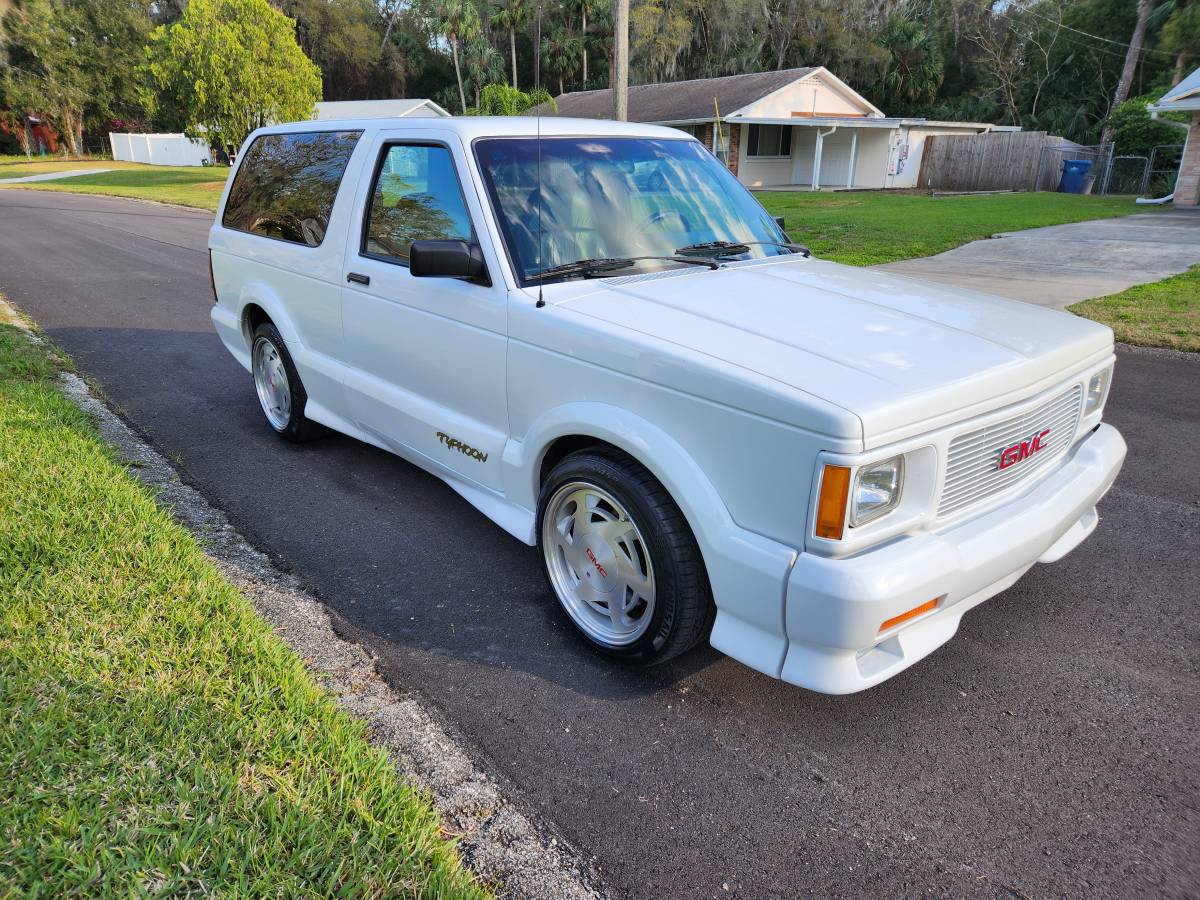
287	184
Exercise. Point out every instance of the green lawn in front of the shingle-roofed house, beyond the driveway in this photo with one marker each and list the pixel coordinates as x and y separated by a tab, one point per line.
863	229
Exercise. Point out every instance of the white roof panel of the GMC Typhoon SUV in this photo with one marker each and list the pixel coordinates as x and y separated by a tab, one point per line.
470	128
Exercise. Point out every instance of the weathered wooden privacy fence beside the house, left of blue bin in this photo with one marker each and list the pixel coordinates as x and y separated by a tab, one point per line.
997	161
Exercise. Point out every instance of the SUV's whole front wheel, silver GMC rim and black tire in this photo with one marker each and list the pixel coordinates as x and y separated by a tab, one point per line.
621	559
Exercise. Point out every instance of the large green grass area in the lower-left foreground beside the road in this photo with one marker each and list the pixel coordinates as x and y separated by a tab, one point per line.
157	737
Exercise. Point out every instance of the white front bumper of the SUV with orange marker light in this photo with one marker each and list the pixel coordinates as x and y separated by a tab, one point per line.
835	608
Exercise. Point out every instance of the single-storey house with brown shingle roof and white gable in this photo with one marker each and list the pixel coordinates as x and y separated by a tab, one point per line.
796	129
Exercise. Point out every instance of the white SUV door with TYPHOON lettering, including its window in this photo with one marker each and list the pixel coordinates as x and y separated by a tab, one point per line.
425	357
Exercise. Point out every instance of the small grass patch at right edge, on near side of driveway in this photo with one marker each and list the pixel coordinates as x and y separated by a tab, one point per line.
1163	314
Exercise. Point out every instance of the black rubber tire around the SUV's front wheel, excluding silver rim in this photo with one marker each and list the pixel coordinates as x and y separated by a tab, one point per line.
683	607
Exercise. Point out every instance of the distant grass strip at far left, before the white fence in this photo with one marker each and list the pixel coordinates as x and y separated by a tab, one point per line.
187	185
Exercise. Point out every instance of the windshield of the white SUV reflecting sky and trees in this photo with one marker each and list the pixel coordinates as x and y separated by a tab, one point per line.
616	199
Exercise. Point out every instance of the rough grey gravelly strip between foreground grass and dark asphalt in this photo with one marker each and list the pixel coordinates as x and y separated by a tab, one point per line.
518	856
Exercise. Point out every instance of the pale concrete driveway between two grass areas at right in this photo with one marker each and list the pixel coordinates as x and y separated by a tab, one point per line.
1064	265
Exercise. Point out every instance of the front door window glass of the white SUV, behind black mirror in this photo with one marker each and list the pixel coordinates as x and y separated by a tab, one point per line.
416	197
